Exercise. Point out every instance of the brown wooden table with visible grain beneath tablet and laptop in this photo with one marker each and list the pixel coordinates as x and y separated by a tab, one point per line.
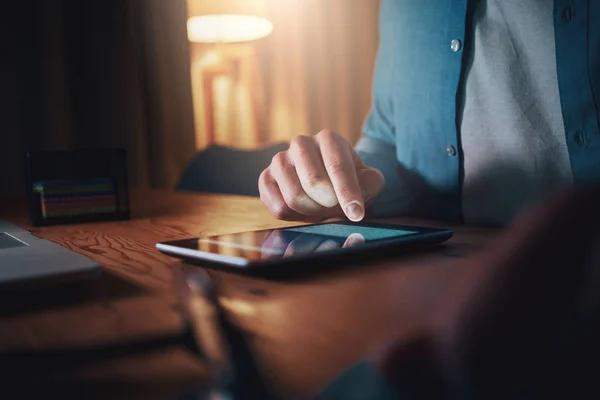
303	332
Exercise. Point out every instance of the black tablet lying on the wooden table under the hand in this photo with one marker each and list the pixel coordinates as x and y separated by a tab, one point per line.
305	247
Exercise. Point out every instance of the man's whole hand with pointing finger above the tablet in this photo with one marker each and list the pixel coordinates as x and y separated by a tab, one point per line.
319	177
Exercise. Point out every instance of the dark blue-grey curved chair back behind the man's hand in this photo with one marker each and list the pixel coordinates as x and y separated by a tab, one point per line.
220	169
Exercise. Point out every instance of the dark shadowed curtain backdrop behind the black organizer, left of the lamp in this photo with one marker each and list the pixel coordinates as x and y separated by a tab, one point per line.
96	73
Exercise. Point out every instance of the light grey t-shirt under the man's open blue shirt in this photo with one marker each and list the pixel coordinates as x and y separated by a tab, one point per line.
512	130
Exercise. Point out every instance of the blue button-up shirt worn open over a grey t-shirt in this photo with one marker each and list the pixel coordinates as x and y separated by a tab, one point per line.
412	127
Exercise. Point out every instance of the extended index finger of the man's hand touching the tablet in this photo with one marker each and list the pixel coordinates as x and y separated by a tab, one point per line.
339	164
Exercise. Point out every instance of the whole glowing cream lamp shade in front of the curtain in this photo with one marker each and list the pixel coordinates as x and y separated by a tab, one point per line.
227	21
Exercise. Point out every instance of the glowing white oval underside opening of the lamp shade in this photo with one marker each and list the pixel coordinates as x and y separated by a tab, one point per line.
227	28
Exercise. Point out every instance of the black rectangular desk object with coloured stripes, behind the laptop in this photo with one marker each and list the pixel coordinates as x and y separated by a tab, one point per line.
75	186
